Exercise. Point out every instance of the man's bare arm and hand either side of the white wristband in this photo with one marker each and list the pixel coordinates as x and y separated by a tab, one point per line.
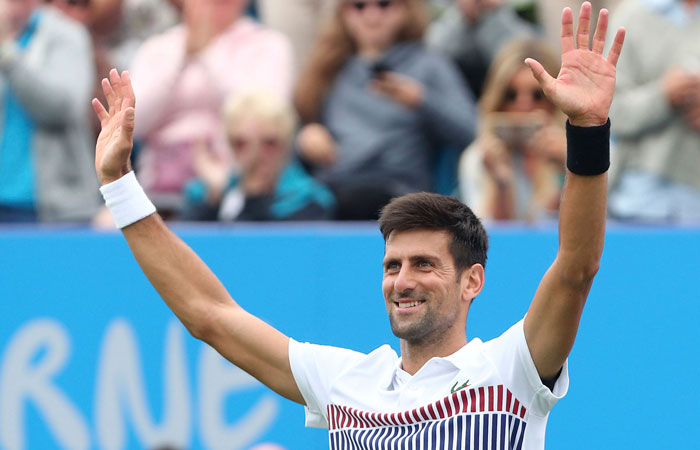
181	278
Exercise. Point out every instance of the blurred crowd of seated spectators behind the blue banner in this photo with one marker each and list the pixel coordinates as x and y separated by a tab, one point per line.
256	110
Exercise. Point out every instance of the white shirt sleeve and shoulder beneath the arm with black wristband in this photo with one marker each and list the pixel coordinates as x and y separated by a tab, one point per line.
511	356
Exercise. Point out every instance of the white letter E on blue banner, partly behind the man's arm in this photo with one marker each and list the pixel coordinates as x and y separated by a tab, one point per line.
217	378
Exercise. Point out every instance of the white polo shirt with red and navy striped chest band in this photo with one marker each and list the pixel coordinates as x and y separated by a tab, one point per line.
487	395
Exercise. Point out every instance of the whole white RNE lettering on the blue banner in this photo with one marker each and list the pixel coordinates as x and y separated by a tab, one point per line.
40	349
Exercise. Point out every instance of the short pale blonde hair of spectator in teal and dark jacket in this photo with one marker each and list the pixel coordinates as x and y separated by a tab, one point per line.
263	105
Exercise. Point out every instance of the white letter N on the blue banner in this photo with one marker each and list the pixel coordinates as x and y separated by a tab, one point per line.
120	384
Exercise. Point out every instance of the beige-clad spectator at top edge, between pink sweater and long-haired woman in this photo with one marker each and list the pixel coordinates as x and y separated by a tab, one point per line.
298	19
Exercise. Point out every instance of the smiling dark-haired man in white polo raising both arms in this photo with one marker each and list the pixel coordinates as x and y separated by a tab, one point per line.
443	392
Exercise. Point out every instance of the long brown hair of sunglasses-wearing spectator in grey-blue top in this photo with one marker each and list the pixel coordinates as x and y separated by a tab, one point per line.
334	45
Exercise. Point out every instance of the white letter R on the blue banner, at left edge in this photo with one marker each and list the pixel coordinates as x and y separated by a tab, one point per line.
22	381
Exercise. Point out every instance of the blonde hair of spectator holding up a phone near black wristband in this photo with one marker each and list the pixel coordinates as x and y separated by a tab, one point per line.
508	61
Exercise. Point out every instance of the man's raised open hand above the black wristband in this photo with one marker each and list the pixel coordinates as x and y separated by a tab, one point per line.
584	88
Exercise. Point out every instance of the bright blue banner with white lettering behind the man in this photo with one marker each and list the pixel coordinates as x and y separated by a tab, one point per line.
91	358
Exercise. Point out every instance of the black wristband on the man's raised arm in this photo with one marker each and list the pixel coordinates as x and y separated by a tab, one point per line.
588	149
